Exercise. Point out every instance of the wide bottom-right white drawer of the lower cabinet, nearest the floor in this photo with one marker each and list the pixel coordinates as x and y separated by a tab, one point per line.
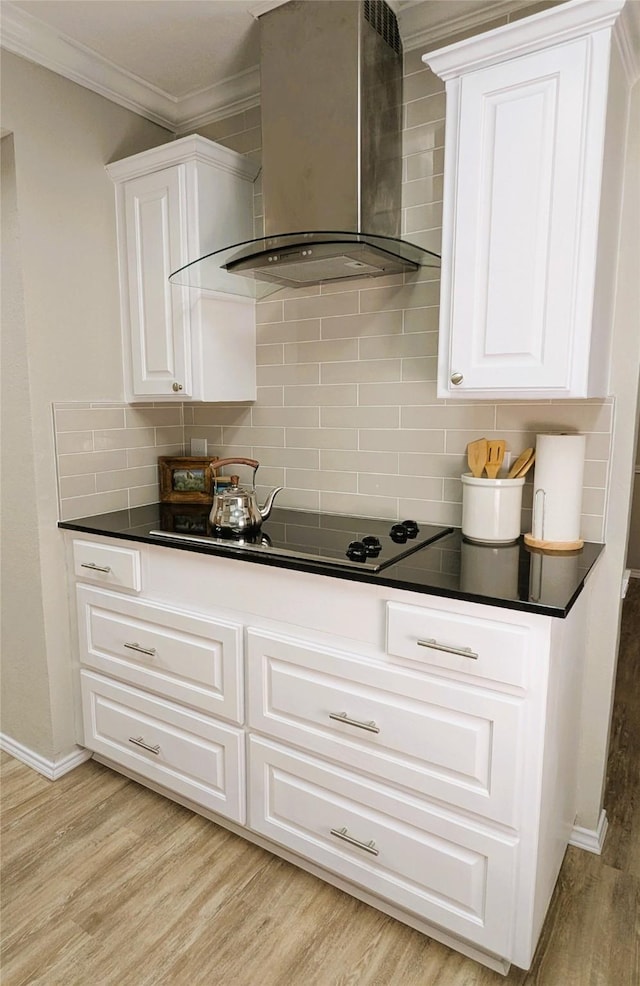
425	861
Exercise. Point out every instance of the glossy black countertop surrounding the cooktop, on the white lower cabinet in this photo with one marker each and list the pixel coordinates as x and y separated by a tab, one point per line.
510	576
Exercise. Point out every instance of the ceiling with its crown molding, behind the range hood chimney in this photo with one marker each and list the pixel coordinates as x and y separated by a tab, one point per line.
184	63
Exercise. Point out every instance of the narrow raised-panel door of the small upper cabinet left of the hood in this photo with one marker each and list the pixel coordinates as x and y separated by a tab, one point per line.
156	238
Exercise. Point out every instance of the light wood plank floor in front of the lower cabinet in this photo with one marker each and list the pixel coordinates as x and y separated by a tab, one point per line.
108	884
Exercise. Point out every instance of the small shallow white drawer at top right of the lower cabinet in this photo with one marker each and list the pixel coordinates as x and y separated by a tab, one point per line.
457	642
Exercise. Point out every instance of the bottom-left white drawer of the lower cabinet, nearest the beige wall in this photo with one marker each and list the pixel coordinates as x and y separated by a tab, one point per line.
185	752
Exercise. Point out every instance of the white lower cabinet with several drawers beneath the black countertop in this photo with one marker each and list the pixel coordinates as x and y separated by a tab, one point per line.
421	757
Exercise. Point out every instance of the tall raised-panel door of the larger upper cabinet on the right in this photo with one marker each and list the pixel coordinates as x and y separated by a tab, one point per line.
517	209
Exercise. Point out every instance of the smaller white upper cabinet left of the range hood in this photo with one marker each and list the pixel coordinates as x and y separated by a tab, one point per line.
174	204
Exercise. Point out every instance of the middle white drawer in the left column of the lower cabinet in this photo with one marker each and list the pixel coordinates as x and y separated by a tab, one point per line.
184	657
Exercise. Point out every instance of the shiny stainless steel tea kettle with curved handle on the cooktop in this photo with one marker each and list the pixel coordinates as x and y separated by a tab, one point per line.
235	510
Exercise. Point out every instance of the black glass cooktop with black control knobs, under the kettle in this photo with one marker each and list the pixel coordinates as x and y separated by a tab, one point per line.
325	538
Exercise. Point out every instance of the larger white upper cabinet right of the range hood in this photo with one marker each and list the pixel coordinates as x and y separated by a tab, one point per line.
534	154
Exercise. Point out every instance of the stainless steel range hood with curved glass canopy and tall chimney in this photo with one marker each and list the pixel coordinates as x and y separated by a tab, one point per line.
331	104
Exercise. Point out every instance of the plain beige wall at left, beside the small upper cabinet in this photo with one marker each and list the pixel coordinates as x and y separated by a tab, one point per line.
61	339
